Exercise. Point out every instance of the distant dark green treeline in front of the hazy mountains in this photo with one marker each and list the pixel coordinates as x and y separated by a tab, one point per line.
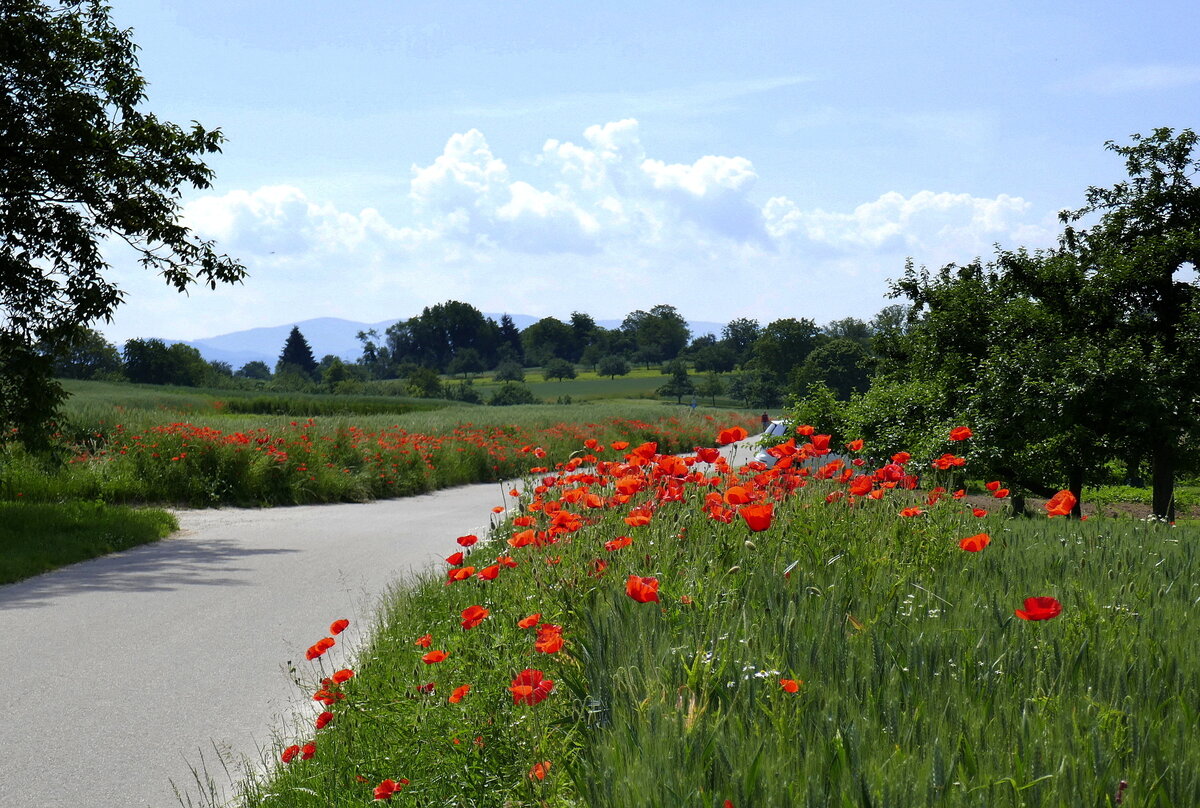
751	363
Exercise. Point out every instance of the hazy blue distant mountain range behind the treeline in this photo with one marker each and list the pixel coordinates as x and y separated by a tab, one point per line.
333	336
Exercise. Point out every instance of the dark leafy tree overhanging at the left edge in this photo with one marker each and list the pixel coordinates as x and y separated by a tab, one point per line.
82	163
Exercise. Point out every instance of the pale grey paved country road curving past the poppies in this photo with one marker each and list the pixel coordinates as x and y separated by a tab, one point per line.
123	672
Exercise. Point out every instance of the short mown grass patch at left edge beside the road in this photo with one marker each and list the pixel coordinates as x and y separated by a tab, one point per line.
38	538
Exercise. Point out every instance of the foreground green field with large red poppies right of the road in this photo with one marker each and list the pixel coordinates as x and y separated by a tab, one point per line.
842	630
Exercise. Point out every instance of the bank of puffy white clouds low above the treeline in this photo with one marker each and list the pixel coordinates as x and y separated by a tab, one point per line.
596	226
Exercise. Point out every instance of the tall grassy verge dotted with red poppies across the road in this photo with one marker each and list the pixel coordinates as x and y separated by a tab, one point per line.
142	457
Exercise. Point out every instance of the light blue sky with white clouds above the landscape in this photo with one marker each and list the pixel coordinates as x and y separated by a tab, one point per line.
735	160
